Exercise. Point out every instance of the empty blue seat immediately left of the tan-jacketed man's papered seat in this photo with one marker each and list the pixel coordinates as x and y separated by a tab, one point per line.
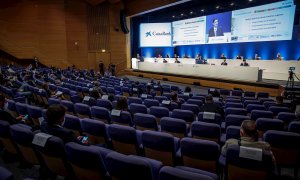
200	154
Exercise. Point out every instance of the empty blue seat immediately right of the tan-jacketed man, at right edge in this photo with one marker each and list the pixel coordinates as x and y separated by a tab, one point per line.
284	146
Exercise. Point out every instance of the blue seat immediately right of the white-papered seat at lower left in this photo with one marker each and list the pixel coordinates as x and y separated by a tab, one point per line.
86	161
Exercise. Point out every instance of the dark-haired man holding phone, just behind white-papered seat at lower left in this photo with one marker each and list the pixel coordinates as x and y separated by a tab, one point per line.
53	124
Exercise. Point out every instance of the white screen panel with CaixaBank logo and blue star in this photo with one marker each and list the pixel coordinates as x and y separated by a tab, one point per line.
155	35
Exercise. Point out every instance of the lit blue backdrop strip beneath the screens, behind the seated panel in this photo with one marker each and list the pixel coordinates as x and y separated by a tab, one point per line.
290	50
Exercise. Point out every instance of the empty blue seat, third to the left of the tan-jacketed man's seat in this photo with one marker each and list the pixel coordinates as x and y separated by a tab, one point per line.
124	139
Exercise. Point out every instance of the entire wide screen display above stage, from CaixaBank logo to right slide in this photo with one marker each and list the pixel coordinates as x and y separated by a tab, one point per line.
271	22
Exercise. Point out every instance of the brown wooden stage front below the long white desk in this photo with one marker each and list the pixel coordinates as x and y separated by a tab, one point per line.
274	87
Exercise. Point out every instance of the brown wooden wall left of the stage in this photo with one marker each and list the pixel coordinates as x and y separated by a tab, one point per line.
59	32
